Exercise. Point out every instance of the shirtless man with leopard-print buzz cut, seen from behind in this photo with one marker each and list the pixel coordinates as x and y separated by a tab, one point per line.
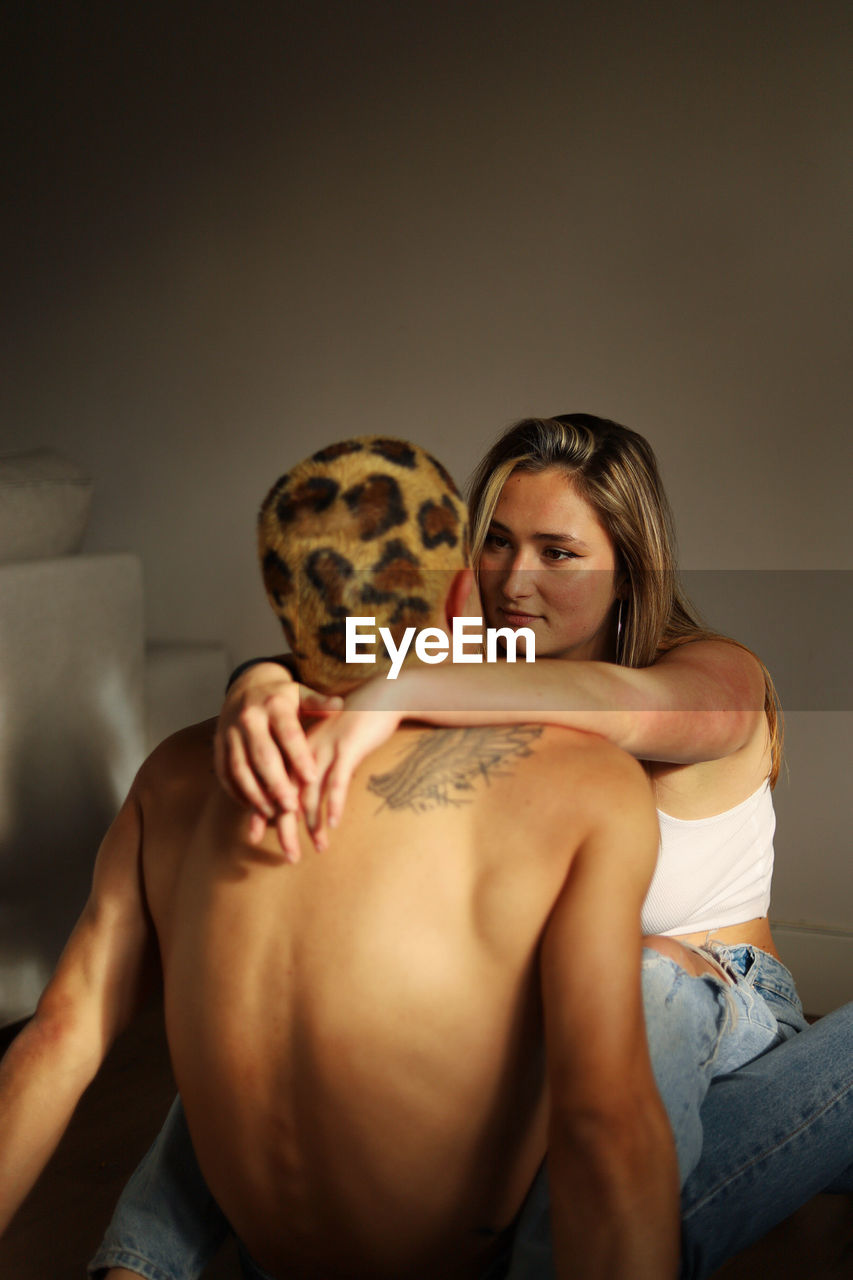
377	1046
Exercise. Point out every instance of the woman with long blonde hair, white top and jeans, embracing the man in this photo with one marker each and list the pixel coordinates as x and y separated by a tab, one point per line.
572	540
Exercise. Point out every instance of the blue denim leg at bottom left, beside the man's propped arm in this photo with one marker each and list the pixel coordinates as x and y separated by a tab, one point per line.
167	1226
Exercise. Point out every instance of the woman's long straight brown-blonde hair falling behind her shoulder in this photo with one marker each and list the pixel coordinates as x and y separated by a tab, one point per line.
615	470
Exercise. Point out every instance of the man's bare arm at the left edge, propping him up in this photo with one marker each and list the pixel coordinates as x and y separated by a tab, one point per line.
98	986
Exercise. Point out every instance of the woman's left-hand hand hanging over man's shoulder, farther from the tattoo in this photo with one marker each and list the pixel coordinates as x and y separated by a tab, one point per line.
259	738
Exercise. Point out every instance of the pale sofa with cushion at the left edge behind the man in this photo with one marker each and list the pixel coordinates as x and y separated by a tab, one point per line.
72	710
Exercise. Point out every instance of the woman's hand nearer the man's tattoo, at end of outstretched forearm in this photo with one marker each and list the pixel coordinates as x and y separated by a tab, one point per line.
339	747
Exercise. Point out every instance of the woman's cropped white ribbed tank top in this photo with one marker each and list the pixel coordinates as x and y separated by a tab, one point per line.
713	872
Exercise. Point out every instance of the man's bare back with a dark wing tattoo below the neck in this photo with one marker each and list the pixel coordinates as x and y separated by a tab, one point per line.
359	1040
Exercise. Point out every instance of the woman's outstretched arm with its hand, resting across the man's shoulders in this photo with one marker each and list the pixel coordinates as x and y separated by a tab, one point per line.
701	702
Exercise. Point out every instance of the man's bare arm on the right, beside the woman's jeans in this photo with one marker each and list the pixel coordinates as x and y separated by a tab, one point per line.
612	1158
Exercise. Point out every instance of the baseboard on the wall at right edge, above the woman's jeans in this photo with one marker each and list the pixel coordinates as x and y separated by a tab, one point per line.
822	961
